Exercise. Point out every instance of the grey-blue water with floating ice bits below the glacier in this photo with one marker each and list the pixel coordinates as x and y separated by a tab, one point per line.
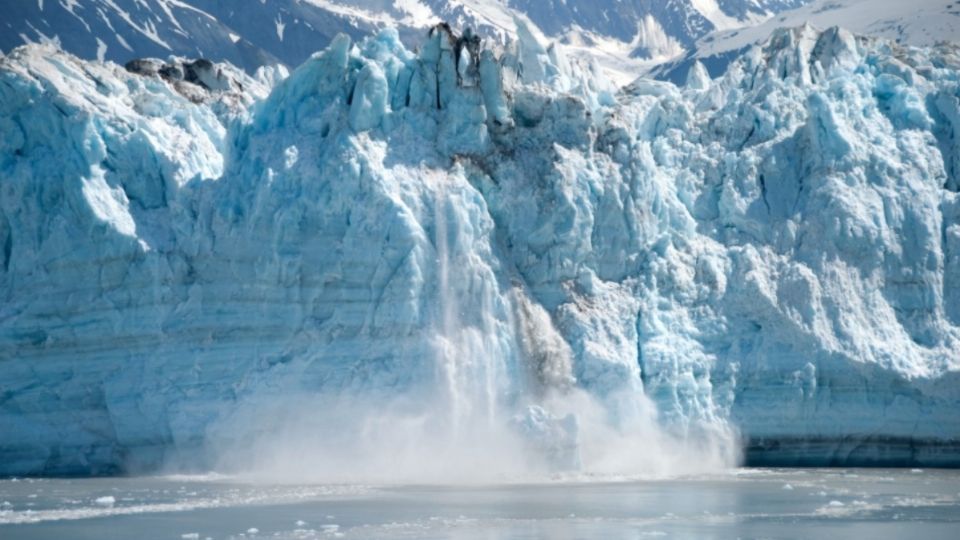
743	503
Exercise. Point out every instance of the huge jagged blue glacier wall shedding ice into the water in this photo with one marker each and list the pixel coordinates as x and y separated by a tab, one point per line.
464	244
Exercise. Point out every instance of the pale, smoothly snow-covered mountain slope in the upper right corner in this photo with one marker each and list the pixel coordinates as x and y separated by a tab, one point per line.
918	22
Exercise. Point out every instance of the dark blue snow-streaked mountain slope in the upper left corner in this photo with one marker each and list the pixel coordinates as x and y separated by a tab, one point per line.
247	34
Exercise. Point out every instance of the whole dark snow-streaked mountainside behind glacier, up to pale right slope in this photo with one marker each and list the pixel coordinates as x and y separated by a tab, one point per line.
625	36
